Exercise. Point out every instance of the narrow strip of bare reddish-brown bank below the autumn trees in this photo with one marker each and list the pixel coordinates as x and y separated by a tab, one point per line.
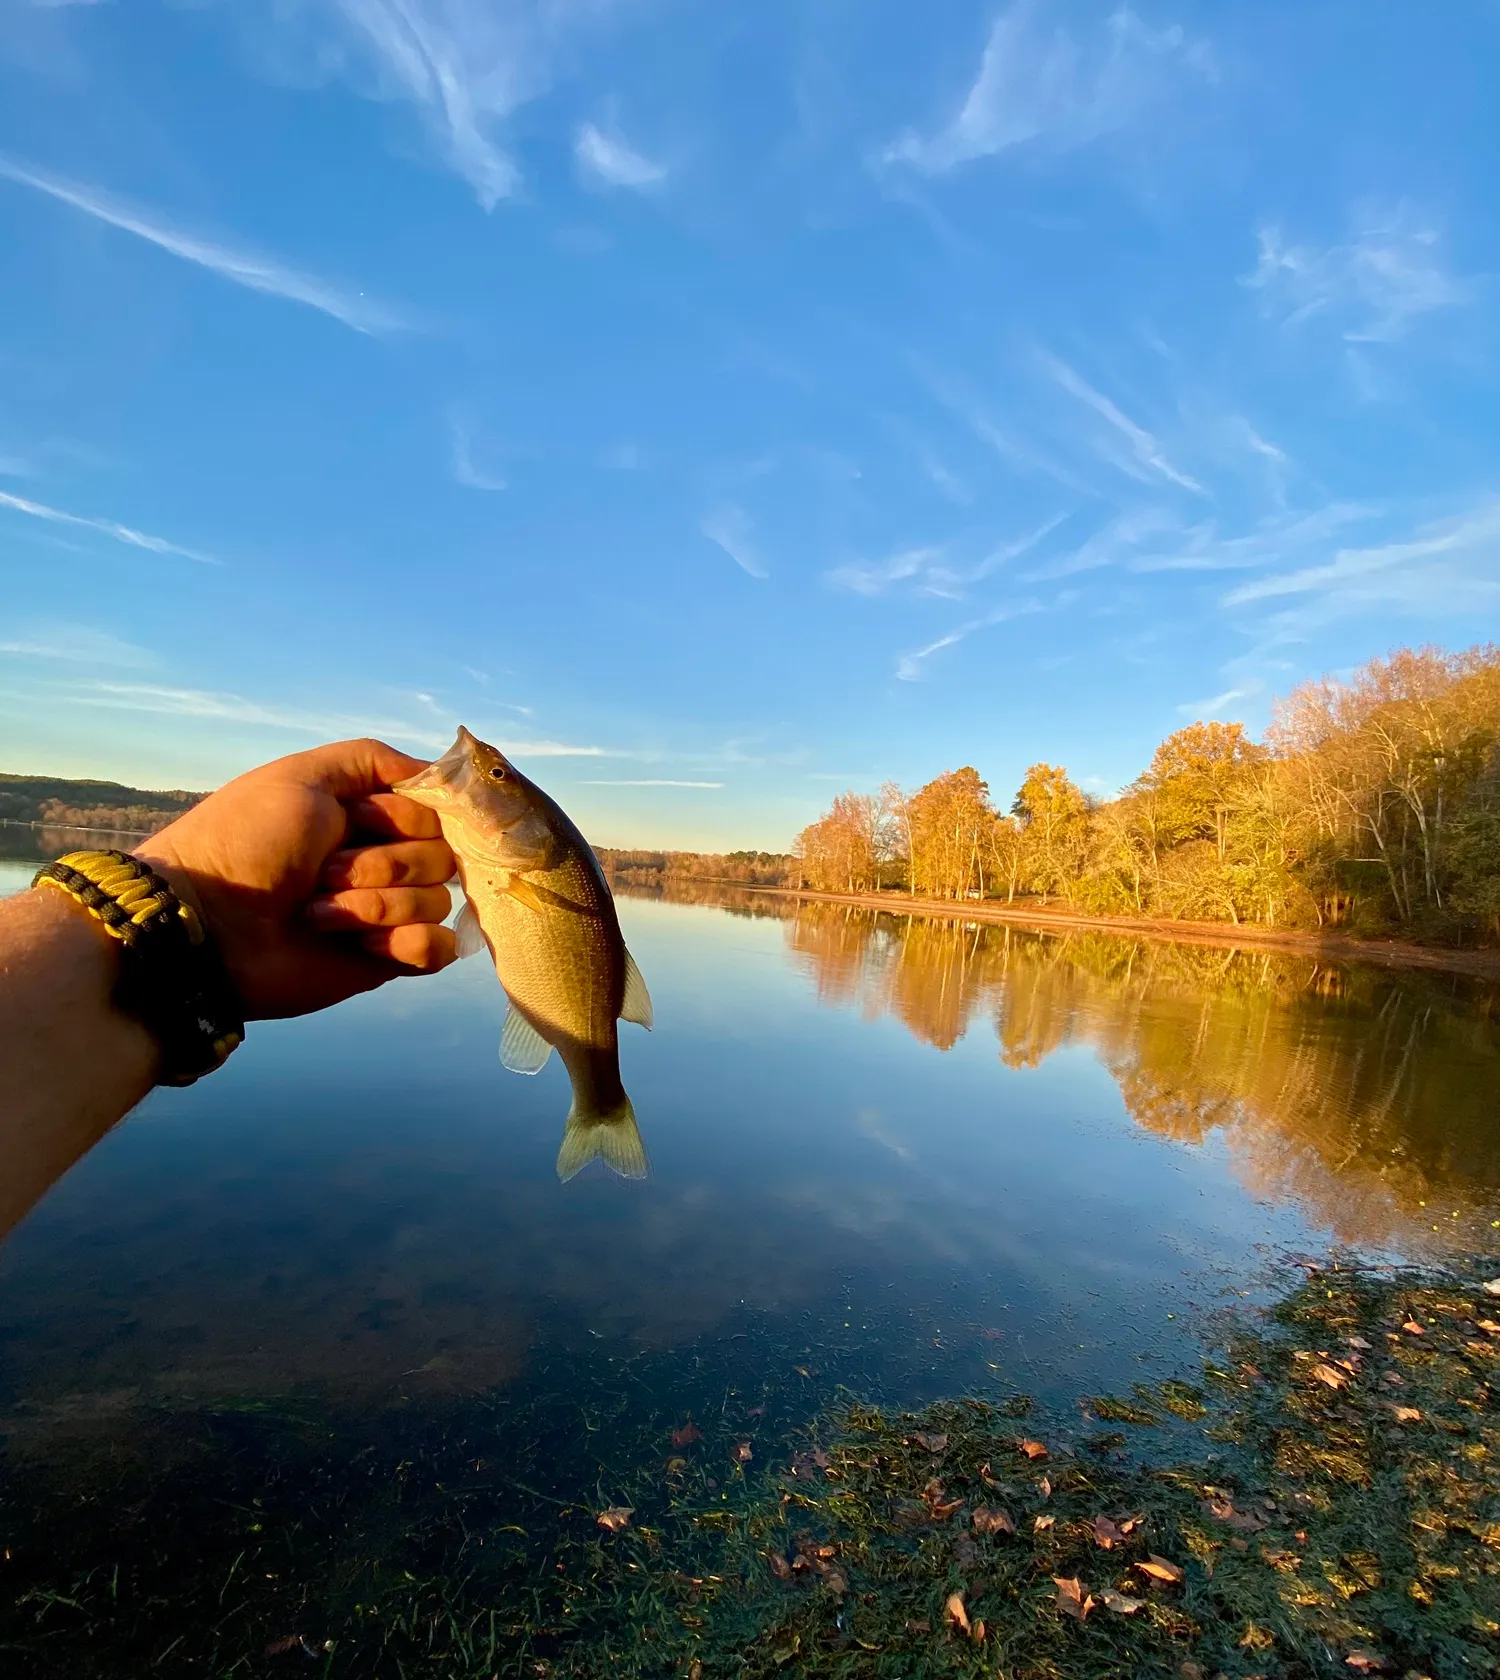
1338	948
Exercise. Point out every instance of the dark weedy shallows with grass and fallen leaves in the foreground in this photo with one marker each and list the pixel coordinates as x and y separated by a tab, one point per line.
1326	1501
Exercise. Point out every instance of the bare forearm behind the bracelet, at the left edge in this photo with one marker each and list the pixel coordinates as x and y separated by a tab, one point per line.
71	1066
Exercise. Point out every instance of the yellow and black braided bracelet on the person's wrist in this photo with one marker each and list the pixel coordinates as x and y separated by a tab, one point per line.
170	974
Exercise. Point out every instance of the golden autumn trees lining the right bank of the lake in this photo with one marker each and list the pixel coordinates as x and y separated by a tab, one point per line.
1372	806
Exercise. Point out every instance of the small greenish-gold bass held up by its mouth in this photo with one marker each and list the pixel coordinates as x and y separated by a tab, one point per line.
537	898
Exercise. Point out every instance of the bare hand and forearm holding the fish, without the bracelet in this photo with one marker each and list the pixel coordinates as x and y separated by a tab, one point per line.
313	881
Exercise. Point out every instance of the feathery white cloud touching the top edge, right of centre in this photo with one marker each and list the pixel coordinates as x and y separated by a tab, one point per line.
1041	85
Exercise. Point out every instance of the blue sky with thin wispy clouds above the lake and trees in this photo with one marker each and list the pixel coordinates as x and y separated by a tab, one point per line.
725	404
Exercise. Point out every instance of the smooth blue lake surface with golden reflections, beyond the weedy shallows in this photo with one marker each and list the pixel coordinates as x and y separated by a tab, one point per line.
876	1137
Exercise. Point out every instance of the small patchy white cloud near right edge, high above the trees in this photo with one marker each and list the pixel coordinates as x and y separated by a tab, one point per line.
1372	288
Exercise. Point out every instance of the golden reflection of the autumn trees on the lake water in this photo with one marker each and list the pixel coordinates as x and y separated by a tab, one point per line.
1366	1098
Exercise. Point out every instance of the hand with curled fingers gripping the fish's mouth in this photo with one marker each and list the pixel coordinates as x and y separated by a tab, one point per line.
313	878
